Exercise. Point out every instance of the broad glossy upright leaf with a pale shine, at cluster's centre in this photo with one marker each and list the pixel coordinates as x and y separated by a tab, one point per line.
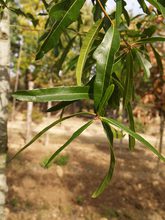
104	56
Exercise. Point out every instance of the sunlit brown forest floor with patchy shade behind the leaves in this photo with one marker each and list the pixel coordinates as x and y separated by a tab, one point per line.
63	192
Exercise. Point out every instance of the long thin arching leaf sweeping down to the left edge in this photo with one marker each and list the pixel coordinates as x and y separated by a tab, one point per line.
45	130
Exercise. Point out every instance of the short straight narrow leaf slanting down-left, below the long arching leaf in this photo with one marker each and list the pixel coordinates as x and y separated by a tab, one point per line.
75	135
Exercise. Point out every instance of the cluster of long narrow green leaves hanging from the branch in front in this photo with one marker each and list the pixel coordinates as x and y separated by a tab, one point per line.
112	52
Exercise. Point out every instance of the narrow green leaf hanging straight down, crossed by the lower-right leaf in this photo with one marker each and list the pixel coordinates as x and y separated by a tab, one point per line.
132	126
